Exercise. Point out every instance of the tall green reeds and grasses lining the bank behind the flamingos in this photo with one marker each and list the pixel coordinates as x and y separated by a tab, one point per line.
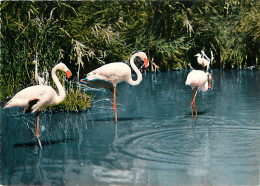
87	34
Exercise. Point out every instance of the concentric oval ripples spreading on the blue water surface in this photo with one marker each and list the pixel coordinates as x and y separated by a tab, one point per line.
223	143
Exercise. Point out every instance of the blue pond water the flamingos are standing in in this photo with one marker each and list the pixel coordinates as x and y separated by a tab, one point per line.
155	141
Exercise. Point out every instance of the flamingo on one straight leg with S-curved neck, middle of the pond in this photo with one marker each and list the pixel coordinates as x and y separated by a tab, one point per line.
117	72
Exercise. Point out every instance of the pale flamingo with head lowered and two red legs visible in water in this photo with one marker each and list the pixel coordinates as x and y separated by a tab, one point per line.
198	79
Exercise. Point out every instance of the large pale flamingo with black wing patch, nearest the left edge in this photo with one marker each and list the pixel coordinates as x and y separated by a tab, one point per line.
37	96
